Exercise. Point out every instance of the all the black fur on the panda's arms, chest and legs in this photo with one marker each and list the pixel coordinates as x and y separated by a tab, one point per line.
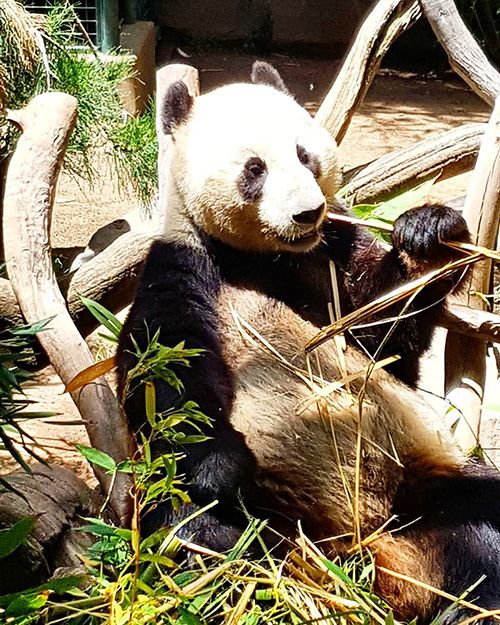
178	294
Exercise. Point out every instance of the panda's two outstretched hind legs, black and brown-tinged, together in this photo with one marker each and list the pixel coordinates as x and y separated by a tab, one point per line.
447	538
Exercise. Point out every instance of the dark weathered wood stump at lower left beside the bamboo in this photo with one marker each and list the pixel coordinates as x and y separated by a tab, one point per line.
57	500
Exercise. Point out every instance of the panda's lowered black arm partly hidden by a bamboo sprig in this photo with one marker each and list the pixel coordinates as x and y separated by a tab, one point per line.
177	295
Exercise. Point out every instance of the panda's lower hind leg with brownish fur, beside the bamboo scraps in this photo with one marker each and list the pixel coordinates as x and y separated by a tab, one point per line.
450	560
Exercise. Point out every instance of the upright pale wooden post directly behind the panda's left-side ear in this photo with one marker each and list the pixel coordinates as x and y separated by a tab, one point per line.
165	76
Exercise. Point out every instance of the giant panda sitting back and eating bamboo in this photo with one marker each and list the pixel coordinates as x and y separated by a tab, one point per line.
243	272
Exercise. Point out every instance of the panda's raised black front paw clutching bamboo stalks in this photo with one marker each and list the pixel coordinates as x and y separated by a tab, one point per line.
420	232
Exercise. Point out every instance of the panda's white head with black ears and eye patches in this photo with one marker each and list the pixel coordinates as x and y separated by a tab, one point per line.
250	166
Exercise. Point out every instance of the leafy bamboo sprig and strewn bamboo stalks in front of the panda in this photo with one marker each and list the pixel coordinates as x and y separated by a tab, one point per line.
132	579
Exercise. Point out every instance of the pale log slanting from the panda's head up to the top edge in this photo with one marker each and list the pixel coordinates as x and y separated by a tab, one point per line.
385	22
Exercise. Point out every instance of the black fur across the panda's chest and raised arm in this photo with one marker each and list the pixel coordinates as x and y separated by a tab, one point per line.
302	281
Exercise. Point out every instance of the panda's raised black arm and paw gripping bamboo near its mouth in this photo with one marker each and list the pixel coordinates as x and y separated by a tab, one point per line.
370	271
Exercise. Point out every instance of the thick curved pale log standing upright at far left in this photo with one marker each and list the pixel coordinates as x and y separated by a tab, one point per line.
32	176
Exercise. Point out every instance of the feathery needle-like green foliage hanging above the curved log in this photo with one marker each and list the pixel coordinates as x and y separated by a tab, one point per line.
57	63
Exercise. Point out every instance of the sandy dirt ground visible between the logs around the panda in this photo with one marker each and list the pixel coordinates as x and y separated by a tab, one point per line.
398	111
